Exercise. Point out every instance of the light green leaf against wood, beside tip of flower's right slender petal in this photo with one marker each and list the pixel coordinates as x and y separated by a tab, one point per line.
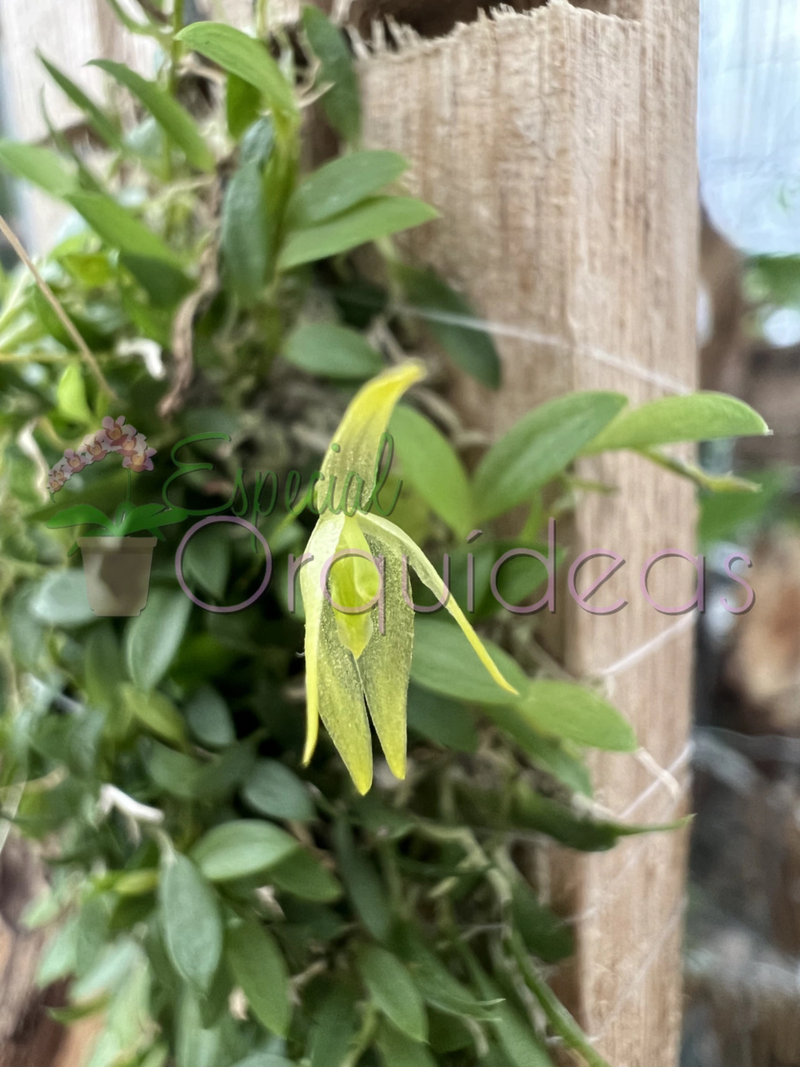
567	710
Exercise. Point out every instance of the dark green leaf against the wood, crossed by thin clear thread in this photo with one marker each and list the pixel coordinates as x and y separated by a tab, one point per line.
442	308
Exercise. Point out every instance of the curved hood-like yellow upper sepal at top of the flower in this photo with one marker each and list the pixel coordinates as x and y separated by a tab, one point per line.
359	436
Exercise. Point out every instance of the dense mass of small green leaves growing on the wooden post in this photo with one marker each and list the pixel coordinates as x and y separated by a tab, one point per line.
216	902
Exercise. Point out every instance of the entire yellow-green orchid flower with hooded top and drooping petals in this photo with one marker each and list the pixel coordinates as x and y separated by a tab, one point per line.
359	626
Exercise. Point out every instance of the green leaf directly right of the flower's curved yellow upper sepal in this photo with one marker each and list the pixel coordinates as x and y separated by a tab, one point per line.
434	469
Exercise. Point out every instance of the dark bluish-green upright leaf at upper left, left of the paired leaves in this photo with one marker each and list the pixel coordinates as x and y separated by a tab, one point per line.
246	237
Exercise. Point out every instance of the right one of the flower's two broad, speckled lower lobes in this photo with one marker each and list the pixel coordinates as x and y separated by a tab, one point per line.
386	664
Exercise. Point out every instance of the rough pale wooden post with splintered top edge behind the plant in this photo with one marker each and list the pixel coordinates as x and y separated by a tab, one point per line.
559	147
